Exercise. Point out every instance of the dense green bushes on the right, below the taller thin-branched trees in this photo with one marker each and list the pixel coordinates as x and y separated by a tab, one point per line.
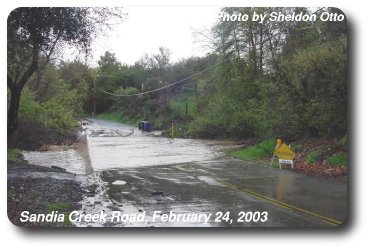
305	95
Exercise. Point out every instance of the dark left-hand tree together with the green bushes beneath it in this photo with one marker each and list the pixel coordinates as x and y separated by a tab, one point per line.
45	93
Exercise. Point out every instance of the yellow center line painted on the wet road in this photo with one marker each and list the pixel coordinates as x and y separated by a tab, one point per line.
281	204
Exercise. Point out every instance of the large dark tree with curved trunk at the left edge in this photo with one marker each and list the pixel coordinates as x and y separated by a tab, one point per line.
33	37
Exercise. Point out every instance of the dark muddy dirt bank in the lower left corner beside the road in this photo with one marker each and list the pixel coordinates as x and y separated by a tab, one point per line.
41	190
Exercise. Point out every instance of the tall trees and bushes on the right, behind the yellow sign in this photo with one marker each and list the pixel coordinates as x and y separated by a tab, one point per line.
282	76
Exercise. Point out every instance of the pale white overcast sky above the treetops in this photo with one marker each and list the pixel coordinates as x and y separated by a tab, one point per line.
147	28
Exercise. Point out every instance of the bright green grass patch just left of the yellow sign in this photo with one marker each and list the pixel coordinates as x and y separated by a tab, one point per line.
260	150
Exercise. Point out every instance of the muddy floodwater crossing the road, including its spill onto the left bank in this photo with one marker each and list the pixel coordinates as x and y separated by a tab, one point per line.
107	145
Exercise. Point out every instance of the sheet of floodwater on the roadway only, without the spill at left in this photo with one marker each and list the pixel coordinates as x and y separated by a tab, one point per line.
117	146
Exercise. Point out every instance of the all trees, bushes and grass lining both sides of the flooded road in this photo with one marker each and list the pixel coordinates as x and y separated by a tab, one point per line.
285	79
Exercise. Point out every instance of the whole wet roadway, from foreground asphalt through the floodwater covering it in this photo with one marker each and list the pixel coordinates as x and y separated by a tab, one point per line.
178	183
